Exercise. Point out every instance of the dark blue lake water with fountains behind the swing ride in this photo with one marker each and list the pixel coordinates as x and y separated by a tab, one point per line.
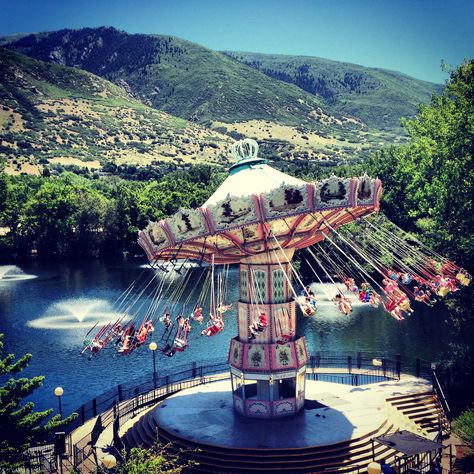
46	309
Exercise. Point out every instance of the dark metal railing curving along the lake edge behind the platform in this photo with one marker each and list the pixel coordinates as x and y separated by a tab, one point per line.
125	401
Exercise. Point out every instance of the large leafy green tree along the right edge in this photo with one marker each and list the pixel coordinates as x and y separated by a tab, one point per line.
429	185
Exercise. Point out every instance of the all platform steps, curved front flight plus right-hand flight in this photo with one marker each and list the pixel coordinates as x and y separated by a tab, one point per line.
419	413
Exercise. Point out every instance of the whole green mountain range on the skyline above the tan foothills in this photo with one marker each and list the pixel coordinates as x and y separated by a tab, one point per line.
196	83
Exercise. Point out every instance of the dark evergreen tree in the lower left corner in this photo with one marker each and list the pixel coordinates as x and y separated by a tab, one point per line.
20	425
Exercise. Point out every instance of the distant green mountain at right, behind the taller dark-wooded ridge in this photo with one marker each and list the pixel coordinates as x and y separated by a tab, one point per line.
377	97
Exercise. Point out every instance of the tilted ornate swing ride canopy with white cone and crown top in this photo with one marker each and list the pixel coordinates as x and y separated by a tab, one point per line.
258	209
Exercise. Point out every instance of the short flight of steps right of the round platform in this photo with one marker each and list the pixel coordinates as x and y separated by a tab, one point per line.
420	413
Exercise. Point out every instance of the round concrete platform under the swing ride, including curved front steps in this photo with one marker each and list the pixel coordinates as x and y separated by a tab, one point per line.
333	431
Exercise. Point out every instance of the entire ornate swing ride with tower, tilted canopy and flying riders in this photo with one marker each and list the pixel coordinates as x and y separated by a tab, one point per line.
257	219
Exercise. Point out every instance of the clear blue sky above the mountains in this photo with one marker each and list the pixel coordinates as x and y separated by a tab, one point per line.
411	36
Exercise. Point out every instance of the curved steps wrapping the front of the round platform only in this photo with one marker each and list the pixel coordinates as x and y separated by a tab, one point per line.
346	456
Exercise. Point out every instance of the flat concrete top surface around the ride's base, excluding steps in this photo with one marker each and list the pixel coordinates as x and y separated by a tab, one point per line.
205	415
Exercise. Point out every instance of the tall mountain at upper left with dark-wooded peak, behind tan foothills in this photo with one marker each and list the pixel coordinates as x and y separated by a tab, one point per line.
177	76
